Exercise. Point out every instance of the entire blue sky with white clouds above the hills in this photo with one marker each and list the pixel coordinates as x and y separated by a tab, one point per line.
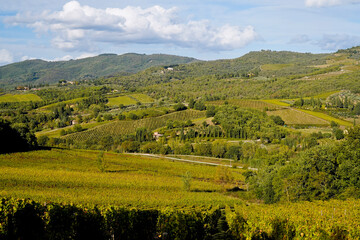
56	30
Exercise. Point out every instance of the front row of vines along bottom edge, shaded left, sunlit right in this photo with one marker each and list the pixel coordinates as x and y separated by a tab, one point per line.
26	219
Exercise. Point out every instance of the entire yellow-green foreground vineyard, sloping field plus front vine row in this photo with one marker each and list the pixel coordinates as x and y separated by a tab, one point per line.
138	193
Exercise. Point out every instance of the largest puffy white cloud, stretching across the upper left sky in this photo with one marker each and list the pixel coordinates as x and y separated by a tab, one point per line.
79	27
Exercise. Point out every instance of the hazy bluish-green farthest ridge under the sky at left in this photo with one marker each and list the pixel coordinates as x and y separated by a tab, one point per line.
36	72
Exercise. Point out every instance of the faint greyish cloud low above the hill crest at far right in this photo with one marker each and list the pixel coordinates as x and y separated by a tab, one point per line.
338	41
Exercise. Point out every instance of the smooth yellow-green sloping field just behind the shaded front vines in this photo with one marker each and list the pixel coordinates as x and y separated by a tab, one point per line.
74	176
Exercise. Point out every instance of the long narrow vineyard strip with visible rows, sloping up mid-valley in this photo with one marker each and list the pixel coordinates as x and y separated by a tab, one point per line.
128	127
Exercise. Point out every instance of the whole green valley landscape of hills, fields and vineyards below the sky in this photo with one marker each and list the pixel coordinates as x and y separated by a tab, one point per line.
259	140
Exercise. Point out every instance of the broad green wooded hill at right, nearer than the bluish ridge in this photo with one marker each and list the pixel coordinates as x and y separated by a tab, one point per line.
256	75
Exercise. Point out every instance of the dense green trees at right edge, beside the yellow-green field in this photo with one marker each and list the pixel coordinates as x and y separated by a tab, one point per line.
322	172
